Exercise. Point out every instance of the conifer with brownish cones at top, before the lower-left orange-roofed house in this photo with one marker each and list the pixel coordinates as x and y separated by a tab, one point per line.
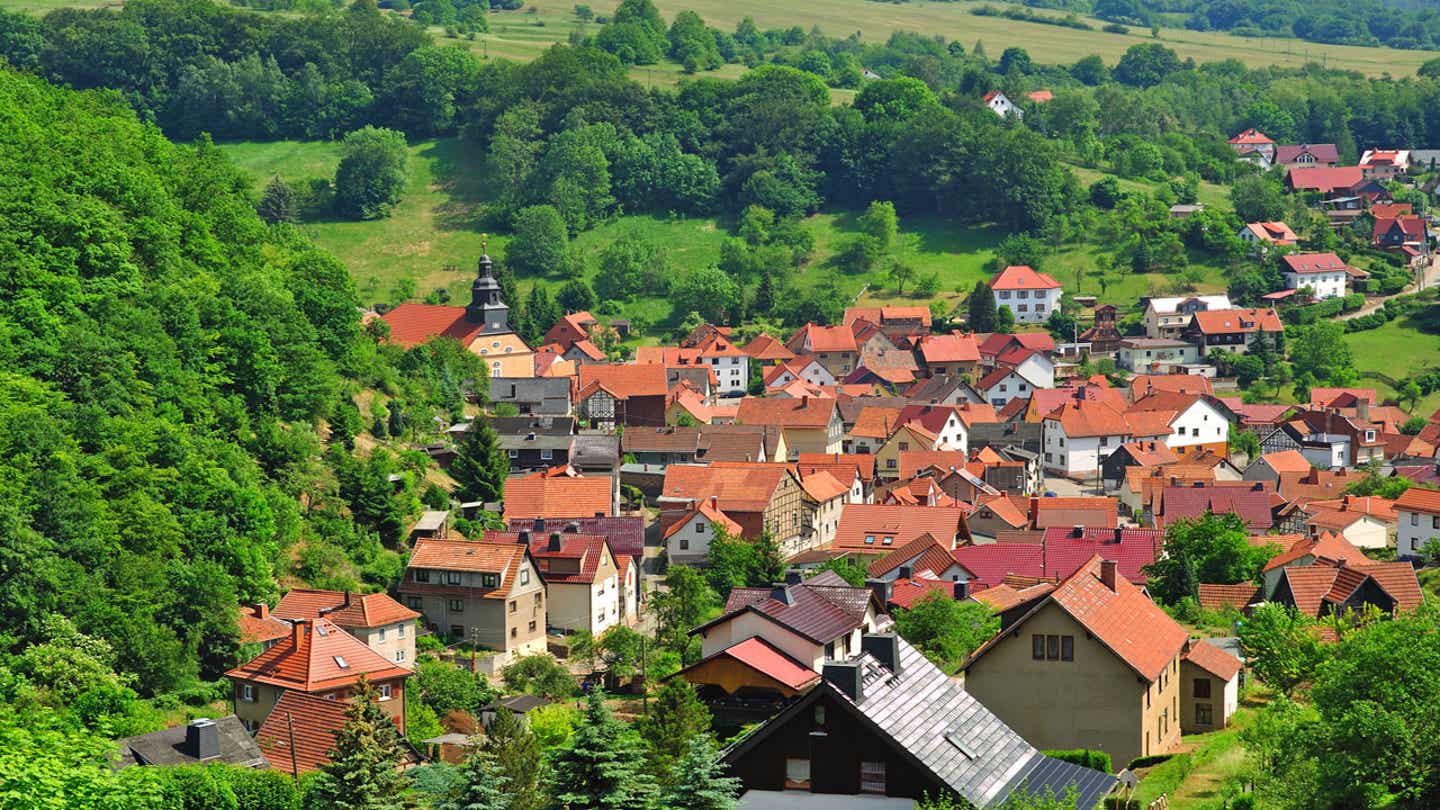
365	766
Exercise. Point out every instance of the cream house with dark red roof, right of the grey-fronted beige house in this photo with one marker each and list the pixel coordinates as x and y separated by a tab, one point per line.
588	587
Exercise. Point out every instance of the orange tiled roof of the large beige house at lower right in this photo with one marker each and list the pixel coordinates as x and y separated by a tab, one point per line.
1125	620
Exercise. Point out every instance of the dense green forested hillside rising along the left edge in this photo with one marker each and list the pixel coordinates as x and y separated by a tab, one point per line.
169	368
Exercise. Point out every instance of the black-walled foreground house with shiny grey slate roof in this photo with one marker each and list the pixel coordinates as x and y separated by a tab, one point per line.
885	721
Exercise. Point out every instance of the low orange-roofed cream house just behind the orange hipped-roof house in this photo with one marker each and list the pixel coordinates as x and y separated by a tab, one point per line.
384	625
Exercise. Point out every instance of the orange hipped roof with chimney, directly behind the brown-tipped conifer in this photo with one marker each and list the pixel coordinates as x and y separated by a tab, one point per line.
325	658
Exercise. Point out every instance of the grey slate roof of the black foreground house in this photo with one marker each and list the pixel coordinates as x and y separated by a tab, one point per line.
948	733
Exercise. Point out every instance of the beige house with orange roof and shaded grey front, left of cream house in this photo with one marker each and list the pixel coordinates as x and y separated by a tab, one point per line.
489	595
